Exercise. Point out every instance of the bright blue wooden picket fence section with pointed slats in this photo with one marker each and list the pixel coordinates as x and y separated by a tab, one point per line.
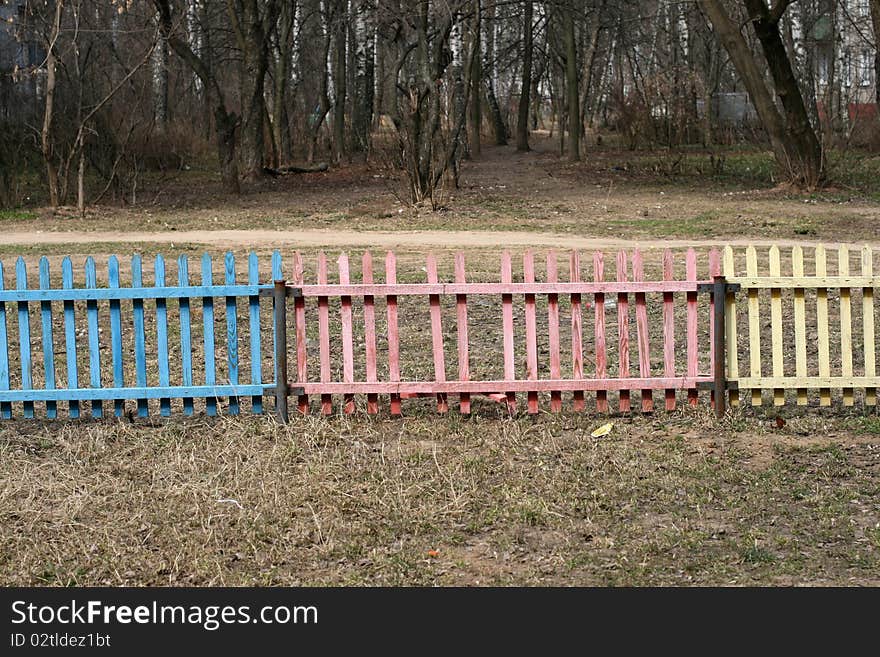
145	362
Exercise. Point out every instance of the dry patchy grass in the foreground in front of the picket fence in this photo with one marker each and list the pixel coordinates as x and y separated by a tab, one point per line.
671	499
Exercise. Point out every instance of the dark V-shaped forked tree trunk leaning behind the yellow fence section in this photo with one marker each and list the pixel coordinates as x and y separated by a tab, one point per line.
792	138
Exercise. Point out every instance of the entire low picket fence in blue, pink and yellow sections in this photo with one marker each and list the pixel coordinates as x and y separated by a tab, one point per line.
585	334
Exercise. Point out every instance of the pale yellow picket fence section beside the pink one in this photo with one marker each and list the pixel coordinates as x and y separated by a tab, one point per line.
820	331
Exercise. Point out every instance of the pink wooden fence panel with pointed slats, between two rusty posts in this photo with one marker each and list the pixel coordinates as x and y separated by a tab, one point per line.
520	370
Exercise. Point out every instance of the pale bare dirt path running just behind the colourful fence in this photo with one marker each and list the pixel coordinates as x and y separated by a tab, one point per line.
375	239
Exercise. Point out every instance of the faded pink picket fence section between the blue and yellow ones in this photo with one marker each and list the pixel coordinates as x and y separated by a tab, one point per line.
609	320
